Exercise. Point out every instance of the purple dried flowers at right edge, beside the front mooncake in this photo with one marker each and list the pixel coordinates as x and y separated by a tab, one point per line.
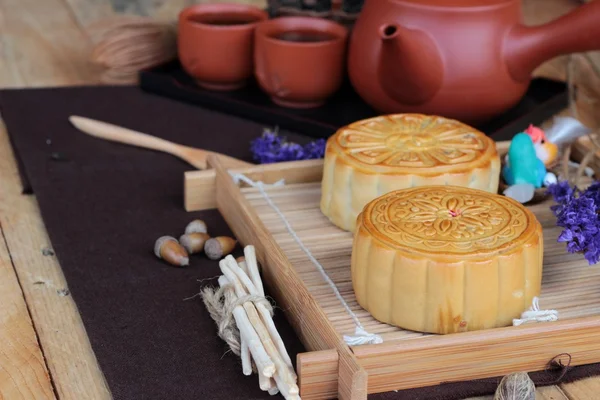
578	212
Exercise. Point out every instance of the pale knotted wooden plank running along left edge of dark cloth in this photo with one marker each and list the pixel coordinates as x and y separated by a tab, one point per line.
71	361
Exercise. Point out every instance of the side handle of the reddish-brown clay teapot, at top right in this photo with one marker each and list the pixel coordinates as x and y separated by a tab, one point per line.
526	48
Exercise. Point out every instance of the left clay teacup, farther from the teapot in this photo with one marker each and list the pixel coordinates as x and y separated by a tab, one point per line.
216	41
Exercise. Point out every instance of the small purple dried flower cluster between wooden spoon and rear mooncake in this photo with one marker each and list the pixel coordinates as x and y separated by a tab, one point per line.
270	148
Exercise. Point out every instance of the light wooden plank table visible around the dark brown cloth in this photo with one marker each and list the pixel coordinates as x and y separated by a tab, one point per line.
44	349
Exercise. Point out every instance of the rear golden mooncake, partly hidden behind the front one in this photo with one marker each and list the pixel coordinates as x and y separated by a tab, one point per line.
369	158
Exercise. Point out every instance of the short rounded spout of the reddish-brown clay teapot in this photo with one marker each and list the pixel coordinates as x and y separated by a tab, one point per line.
410	67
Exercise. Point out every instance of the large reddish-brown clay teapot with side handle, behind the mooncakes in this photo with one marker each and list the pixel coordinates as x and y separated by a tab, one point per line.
465	59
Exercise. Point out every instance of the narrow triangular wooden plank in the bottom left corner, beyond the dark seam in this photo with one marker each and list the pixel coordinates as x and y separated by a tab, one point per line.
23	373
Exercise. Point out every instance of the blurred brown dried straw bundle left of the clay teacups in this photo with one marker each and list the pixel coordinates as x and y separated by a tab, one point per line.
128	44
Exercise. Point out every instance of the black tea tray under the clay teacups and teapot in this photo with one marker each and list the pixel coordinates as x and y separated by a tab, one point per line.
543	99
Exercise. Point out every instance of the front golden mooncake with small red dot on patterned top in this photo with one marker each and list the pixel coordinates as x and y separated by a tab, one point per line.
444	259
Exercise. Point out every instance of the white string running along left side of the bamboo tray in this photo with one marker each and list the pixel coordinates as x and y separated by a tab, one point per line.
361	336
